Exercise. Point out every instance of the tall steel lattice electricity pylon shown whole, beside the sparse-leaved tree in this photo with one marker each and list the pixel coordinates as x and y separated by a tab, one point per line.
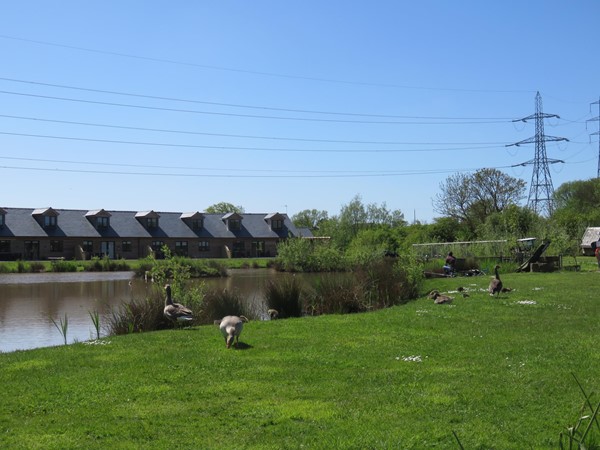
541	189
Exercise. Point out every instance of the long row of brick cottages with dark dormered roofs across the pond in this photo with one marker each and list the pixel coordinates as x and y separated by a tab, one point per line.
49	233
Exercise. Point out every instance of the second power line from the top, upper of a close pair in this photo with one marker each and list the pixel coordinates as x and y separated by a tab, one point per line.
236	105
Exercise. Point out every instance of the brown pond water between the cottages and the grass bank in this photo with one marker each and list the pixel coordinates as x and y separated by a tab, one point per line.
28	302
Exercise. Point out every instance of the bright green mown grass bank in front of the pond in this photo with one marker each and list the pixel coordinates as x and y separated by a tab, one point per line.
497	372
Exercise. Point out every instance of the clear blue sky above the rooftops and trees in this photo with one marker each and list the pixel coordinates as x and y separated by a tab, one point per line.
286	106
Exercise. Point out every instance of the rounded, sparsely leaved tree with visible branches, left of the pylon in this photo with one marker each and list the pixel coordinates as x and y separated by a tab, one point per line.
471	198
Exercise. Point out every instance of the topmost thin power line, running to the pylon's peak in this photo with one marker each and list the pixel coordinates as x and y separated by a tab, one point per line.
253	72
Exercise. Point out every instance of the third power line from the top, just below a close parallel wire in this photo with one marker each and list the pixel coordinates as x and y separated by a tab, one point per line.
251	116
